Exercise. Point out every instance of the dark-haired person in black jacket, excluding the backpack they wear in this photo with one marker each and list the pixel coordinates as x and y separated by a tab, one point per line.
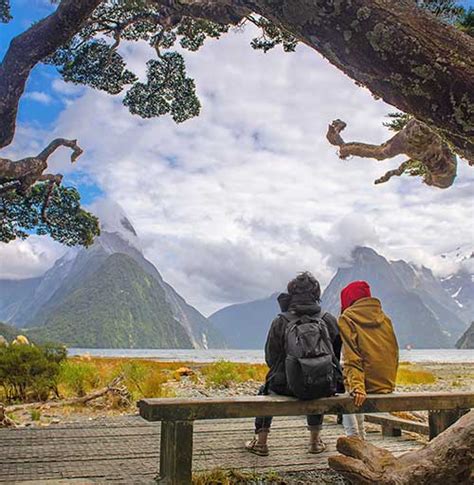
302	299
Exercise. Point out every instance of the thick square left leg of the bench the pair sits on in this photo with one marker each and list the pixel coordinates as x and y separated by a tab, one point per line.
176	453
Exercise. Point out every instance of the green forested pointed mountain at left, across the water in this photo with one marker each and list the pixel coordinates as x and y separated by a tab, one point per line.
117	306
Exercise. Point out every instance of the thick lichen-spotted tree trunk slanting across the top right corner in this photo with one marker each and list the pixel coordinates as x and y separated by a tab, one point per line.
401	53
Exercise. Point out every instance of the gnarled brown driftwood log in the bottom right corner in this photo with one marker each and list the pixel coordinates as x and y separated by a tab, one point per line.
448	459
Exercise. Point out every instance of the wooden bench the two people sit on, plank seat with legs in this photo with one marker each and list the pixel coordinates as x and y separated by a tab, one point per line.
178	415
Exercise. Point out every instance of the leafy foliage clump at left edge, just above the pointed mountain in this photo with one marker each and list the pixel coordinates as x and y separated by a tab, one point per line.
66	222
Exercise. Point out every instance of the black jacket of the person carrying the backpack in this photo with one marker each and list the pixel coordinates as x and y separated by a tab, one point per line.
274	347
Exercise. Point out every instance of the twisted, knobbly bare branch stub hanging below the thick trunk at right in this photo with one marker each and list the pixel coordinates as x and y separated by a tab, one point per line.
434	159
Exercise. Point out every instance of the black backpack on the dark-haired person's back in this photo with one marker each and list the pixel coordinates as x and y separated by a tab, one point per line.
312	370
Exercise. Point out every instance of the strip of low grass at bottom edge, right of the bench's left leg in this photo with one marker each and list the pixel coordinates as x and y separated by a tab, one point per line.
235	477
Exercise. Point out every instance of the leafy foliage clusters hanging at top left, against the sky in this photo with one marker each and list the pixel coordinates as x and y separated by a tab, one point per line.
96	62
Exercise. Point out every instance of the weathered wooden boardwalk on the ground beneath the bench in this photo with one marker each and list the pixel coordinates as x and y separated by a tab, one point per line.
126	449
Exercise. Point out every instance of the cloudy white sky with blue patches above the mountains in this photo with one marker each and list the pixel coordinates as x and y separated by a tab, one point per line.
232	204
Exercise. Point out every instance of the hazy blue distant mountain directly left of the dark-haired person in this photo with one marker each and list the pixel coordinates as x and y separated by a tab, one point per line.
245	325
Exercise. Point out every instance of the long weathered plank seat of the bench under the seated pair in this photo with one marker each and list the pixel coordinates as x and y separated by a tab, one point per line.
239	407
